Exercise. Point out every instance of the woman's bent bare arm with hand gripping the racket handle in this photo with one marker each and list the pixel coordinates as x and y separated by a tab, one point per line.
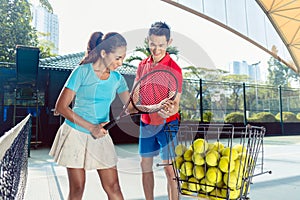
62	107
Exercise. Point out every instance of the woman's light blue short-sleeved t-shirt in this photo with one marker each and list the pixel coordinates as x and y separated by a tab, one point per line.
93	96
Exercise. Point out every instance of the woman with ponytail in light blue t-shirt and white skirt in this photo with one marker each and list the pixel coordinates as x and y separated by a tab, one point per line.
81	142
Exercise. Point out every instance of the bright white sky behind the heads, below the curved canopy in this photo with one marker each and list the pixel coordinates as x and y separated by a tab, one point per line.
200	43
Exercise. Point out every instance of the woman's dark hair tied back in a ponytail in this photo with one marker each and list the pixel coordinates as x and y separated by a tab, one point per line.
98	42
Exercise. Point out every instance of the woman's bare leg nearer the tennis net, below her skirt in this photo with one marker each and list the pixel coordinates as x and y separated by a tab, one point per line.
76	183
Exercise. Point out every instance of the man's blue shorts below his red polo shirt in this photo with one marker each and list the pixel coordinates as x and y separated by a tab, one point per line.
158	139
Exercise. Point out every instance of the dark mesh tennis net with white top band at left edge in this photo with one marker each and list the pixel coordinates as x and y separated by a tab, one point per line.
14	161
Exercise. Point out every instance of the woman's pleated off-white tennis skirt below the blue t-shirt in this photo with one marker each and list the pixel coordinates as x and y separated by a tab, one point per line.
74	149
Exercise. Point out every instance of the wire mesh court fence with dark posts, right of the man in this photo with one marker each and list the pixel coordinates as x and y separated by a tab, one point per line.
212	101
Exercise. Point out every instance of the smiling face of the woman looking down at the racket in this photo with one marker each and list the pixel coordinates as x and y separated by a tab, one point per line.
115	58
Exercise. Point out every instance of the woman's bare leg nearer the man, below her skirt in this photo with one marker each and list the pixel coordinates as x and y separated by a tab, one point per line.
110	183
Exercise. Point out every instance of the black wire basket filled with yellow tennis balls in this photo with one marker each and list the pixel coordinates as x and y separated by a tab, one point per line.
217	161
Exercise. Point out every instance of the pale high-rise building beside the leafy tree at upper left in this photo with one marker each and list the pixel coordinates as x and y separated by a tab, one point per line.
47	24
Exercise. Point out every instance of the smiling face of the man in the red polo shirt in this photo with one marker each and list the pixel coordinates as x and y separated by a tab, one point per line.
158	46
